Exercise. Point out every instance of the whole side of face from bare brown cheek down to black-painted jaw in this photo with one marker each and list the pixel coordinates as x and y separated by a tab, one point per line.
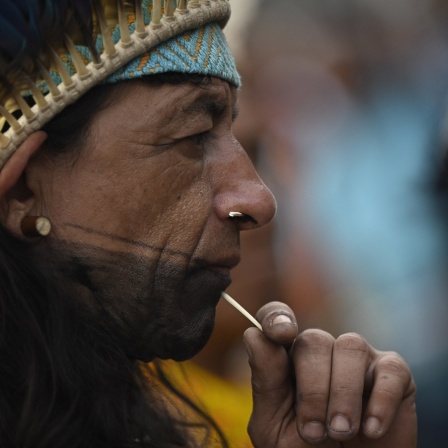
128	240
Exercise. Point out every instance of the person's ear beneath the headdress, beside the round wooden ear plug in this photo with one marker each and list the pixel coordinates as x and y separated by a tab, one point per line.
15	203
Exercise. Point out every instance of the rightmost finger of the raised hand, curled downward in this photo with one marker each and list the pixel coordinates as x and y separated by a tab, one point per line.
393	391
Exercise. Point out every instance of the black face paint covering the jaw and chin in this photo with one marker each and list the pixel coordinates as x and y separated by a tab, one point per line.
164	311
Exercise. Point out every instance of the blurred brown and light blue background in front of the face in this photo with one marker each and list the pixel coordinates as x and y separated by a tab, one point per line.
343	112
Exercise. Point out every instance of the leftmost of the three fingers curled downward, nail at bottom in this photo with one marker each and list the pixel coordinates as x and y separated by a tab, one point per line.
312	356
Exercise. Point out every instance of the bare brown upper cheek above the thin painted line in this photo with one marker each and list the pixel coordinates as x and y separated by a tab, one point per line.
166	203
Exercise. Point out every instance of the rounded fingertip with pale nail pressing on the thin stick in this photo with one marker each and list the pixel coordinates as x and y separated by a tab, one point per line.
279	322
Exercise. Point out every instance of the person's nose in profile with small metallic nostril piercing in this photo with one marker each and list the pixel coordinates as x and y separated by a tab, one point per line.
240	195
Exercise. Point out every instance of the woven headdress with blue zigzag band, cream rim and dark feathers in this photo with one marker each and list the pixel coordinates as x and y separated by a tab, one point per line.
53	51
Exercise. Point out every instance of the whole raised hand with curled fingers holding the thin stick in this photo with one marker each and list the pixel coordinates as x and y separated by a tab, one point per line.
335	393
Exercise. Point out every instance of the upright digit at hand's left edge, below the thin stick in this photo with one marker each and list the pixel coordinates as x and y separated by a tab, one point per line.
273	395
